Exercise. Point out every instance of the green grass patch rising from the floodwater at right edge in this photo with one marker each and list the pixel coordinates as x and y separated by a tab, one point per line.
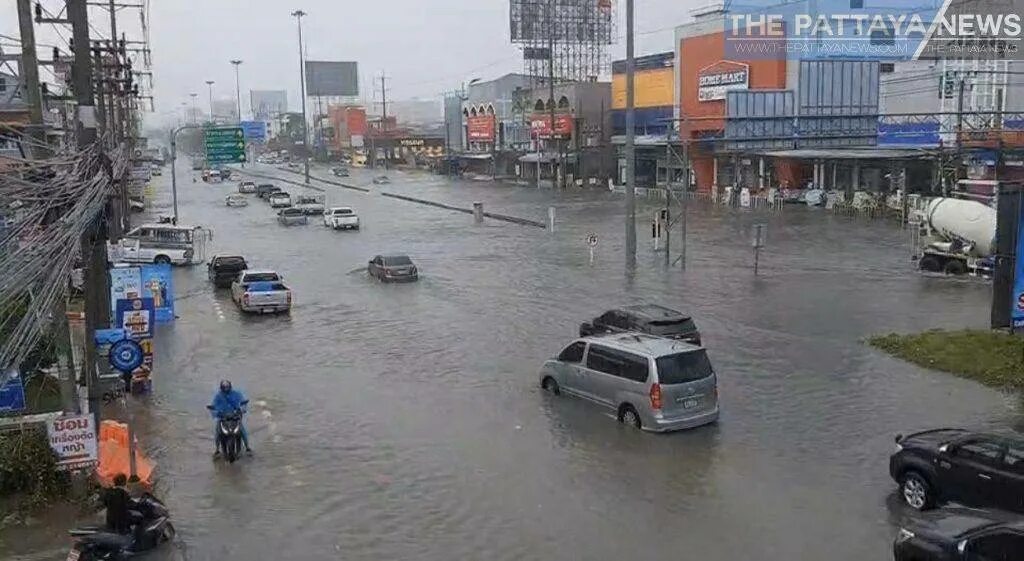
994	359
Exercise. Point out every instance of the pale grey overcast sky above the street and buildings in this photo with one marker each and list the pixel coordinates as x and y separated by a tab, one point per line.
424	48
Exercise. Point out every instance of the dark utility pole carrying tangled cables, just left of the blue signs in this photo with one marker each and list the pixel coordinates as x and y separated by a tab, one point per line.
94	241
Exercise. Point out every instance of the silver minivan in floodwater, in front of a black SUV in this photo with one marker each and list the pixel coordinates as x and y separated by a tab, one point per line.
649	382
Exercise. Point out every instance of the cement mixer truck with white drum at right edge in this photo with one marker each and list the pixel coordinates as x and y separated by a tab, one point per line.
957	237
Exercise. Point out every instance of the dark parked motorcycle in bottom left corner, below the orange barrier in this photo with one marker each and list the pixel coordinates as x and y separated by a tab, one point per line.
151	528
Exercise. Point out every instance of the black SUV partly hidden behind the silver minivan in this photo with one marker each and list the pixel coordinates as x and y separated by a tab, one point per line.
649	319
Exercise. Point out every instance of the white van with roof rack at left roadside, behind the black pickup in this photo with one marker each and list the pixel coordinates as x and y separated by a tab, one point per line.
161	244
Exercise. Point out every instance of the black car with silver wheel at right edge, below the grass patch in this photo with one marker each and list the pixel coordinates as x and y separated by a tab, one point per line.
957	465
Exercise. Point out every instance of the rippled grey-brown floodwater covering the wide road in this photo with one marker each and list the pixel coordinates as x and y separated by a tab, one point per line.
406	422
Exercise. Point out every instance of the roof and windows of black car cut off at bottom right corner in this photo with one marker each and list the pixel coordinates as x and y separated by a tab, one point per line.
962	535
